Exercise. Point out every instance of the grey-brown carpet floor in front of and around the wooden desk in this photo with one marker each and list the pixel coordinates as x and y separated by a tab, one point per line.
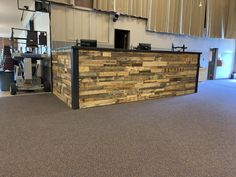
187	136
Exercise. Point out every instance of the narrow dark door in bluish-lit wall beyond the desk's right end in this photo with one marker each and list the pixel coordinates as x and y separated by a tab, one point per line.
212	64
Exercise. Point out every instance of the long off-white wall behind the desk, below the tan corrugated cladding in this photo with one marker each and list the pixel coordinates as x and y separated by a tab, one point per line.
63	32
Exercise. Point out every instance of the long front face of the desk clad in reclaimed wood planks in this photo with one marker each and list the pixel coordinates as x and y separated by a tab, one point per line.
107	77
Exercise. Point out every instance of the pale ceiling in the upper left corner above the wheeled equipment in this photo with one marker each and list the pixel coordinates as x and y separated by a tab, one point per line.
10	16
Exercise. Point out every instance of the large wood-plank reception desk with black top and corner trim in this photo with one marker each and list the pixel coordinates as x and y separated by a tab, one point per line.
89	77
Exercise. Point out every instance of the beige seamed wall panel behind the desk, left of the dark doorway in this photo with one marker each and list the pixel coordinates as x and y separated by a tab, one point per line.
69	24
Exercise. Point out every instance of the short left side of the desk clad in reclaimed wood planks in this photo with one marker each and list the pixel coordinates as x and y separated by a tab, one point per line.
61	68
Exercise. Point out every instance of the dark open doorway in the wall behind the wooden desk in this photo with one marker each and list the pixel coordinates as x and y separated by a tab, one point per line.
122	39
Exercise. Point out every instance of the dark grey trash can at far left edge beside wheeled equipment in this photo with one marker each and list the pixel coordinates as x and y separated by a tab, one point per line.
6	78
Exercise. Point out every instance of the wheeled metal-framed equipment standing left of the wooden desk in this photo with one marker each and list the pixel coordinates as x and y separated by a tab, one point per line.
29	66
